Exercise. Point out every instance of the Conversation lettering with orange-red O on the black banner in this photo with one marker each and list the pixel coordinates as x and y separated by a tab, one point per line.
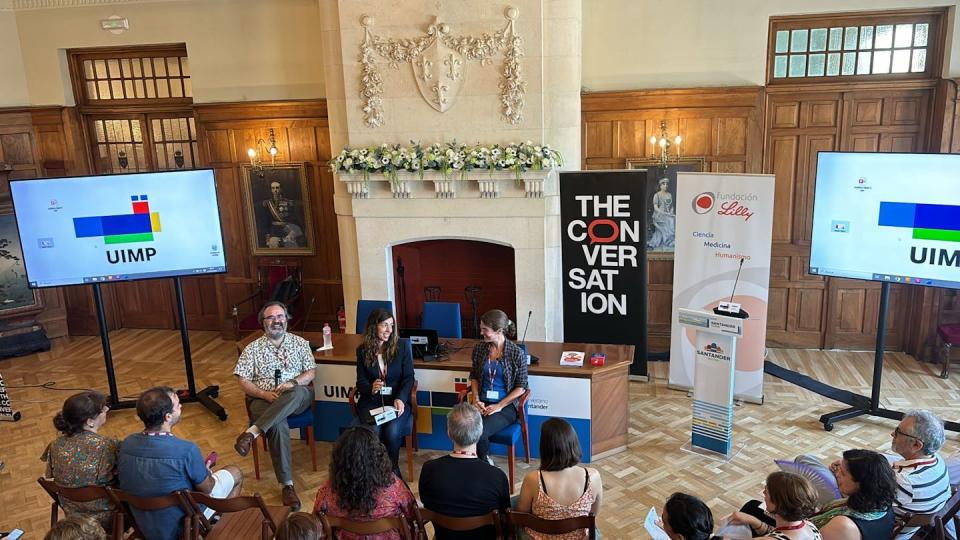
608	234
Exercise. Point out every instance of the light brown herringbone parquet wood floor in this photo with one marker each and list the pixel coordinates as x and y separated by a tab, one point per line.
644	475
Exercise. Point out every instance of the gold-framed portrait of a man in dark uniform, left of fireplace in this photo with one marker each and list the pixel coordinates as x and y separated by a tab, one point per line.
277	201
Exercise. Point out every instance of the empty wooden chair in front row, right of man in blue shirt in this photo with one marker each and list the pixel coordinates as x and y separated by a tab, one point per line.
242	518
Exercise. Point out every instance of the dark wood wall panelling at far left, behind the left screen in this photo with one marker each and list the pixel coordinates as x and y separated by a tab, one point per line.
42	142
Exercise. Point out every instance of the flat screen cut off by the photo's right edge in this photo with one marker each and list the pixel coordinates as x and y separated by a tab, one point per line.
887	217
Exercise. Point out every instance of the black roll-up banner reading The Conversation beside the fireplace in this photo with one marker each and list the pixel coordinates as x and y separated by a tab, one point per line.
603	220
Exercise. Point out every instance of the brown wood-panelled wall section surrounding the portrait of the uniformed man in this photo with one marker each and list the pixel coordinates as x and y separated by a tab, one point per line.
225	132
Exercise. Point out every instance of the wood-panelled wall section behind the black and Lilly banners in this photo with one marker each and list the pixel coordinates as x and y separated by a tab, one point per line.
722	125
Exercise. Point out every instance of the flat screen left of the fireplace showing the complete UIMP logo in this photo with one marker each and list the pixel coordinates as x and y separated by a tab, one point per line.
101	229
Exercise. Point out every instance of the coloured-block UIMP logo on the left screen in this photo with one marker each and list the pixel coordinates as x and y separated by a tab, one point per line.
136	227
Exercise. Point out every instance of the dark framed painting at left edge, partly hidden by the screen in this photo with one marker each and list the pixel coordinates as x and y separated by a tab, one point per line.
16	297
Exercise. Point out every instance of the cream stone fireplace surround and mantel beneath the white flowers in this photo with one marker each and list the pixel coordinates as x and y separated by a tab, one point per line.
496	209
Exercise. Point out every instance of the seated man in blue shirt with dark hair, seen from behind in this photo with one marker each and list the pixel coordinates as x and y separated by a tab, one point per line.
155	462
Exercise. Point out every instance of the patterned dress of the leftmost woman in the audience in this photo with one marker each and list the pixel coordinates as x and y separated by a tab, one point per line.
84	459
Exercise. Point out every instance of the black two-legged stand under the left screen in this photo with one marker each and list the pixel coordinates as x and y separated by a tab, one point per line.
205	397
